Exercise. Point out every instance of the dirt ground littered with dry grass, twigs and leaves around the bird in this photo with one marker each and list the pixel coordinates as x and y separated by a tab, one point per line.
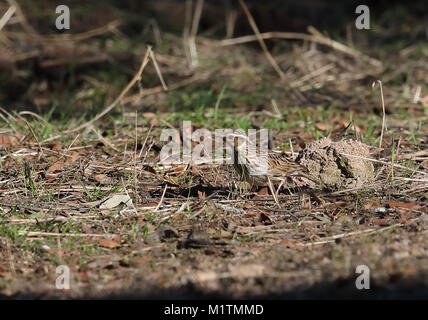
82	186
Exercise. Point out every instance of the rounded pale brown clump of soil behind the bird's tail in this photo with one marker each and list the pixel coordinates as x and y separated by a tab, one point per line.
334	164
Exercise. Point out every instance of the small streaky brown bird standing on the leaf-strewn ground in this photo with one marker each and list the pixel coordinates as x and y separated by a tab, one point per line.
264	168
